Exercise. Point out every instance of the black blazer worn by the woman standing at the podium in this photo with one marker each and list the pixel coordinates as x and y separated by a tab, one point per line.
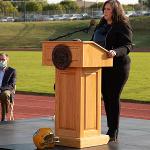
119	39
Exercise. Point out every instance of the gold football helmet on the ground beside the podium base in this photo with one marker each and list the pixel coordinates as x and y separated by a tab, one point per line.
44	138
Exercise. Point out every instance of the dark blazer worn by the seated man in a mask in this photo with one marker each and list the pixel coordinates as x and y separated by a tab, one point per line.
9	79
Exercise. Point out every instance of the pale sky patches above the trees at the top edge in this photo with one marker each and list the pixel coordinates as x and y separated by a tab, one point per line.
122	1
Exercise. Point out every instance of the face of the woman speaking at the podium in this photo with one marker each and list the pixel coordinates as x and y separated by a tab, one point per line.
108	13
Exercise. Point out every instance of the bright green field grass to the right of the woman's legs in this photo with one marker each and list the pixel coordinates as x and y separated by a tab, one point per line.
138	85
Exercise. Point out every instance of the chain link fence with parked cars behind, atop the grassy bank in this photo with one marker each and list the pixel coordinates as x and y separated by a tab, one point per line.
53	15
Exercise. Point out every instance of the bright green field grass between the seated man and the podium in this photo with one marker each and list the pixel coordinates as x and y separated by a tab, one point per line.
31	75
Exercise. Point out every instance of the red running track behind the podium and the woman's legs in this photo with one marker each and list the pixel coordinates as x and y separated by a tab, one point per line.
35	106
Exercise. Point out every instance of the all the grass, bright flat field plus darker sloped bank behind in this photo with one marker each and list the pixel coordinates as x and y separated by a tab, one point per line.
33	77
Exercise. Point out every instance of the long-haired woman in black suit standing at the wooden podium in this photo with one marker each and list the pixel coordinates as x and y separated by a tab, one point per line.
115	34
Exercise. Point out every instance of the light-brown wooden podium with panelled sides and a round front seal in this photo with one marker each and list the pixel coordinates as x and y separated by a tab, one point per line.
78	92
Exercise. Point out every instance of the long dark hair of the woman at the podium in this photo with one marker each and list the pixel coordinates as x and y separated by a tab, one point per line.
118	14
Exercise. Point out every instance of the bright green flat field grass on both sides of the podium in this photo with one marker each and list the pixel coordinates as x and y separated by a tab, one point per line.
33	77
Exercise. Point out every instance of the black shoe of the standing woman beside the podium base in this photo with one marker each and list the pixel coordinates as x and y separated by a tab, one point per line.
113	135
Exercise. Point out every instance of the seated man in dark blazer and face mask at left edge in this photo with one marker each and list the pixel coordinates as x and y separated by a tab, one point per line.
7	85
